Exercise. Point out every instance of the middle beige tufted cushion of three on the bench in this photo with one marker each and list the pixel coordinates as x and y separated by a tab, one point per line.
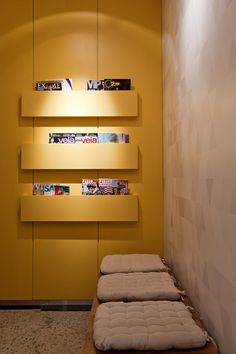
137	286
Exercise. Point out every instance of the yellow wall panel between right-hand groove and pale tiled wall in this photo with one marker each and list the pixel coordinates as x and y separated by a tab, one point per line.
133	46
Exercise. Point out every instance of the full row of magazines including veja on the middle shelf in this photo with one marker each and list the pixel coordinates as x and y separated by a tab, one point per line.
88	138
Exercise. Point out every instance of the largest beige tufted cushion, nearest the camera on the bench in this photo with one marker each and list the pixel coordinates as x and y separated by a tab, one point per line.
147	325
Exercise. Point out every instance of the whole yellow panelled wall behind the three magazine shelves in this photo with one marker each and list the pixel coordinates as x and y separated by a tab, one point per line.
81	40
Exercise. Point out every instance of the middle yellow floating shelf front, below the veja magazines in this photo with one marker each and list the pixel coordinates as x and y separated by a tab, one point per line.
79	156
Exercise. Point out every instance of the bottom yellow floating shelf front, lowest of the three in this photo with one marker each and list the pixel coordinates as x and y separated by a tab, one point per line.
79	208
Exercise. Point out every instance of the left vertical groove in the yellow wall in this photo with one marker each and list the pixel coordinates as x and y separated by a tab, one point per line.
33	173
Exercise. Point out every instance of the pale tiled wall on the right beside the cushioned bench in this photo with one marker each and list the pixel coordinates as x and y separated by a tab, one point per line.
199	58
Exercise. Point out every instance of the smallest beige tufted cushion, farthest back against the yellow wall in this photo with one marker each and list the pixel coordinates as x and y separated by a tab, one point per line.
129	263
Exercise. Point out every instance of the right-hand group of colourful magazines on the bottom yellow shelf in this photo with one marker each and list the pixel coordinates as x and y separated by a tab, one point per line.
104	186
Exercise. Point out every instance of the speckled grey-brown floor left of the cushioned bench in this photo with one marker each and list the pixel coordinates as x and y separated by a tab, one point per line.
42	332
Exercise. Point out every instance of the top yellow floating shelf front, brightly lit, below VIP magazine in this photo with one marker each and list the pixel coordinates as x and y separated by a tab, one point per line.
79	104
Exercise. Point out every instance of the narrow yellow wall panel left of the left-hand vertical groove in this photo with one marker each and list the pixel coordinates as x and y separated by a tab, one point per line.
16	75
